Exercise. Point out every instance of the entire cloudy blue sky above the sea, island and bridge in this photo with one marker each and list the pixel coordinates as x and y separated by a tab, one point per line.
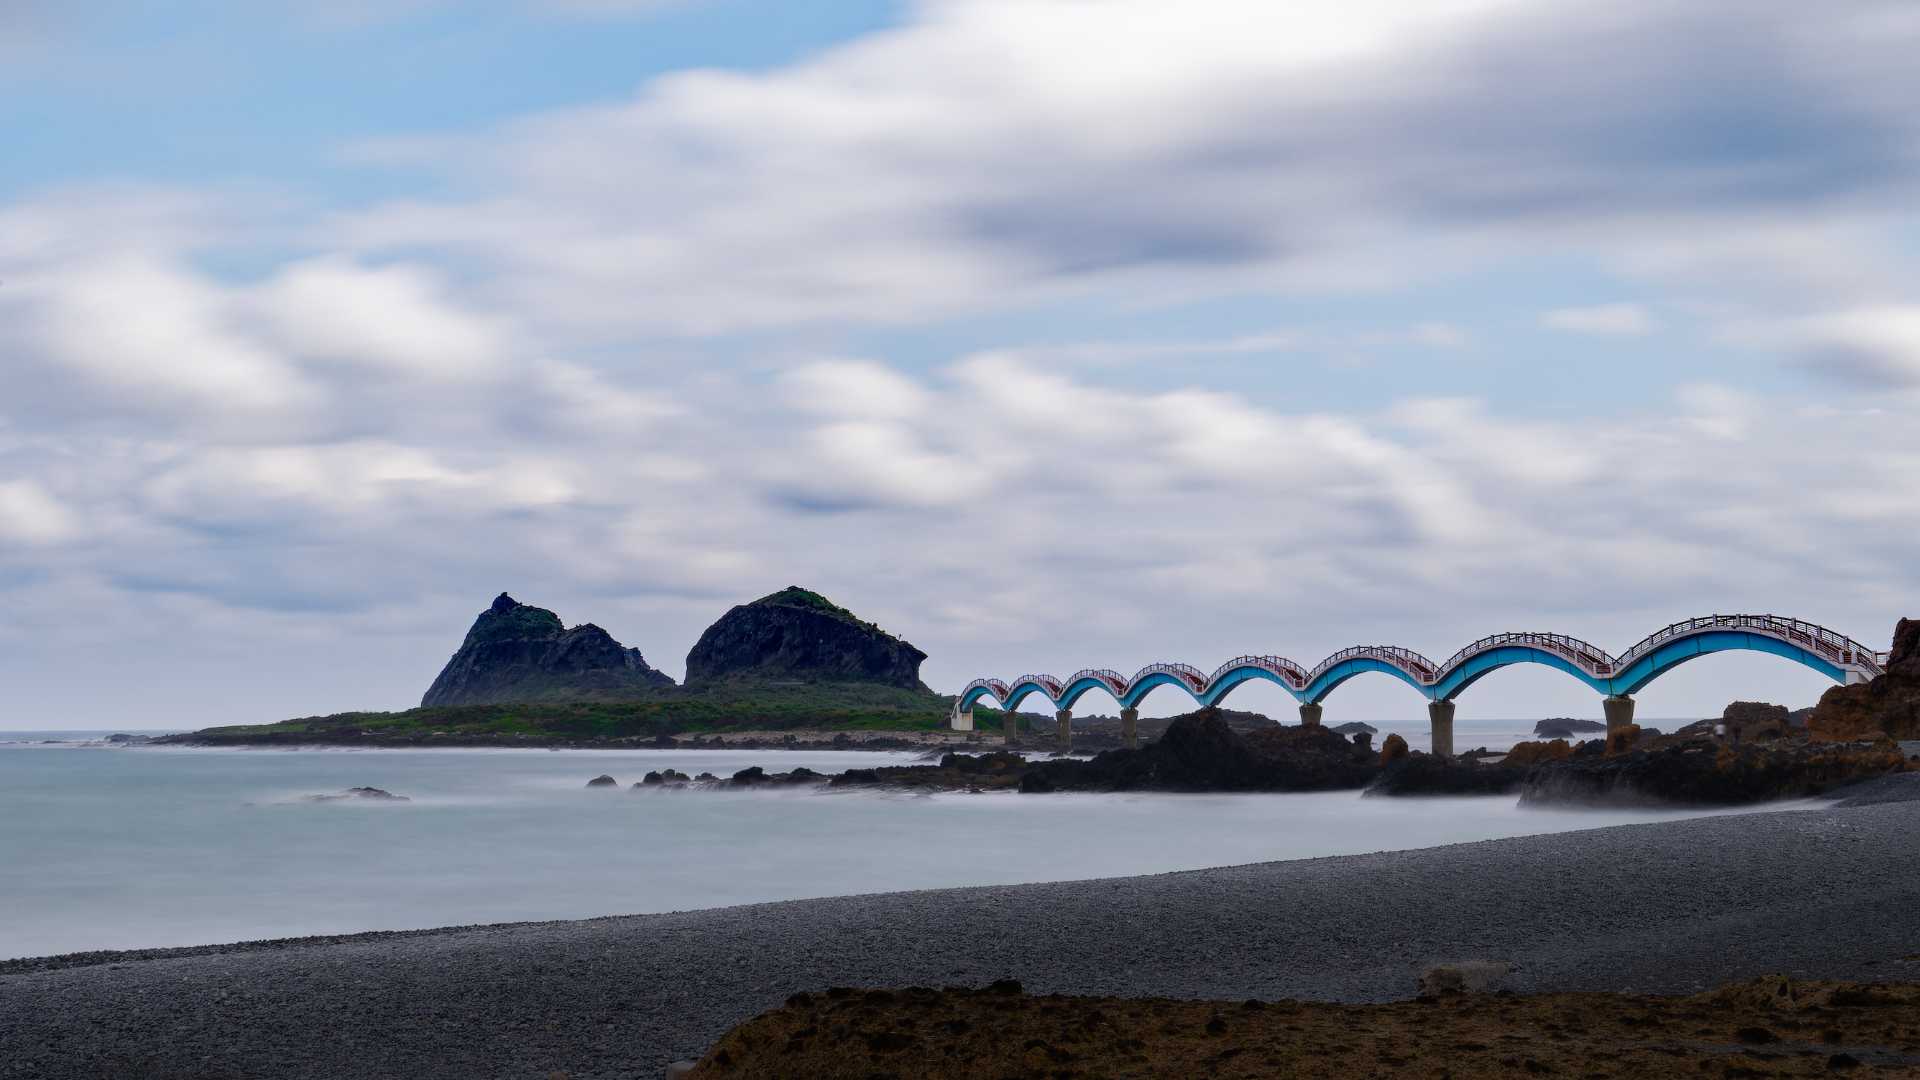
1045	333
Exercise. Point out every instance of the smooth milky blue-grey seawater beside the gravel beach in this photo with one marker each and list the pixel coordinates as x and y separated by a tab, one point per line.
135	848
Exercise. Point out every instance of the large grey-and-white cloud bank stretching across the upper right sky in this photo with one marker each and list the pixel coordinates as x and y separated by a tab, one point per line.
1040	151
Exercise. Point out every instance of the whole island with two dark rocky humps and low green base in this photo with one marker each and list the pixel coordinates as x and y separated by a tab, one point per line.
788	662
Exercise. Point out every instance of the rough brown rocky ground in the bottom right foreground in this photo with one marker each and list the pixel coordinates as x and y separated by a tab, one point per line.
1769	1027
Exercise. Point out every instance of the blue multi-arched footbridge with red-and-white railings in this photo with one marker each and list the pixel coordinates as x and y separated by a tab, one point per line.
1618	677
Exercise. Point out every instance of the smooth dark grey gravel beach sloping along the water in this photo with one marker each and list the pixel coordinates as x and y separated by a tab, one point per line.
1652	908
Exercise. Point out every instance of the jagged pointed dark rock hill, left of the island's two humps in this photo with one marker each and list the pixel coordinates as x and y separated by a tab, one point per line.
516	652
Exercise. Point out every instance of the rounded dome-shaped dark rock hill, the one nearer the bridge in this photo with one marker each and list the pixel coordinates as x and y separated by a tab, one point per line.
800	635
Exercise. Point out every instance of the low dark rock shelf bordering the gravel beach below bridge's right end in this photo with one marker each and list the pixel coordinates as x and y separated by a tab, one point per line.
1704	773
